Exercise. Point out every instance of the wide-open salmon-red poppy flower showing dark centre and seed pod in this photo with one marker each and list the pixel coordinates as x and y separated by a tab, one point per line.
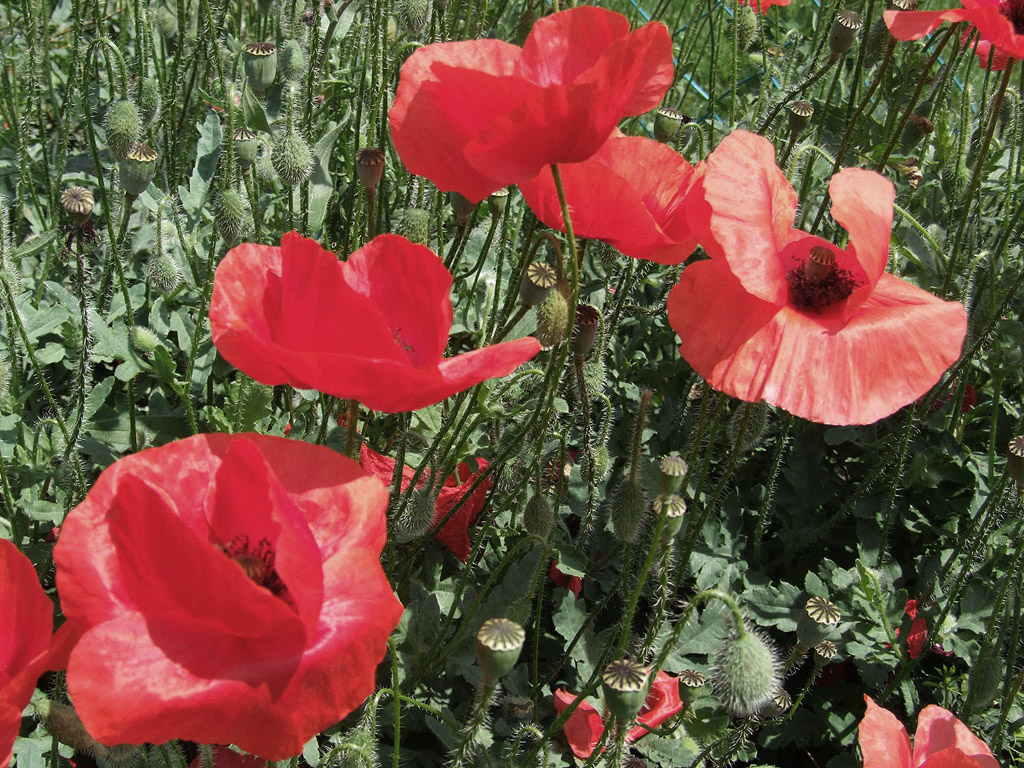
787	318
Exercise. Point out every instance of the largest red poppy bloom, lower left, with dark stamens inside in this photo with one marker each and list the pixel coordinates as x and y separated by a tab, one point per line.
227	589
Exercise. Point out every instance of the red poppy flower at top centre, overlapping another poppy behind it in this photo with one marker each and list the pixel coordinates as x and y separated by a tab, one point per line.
480	115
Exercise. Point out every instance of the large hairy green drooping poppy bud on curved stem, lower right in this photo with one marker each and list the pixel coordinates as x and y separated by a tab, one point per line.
746	673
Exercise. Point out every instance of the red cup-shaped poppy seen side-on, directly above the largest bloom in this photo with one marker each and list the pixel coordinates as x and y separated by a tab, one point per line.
371	329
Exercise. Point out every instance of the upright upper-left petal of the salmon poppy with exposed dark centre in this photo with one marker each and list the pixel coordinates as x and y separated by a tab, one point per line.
754	207
